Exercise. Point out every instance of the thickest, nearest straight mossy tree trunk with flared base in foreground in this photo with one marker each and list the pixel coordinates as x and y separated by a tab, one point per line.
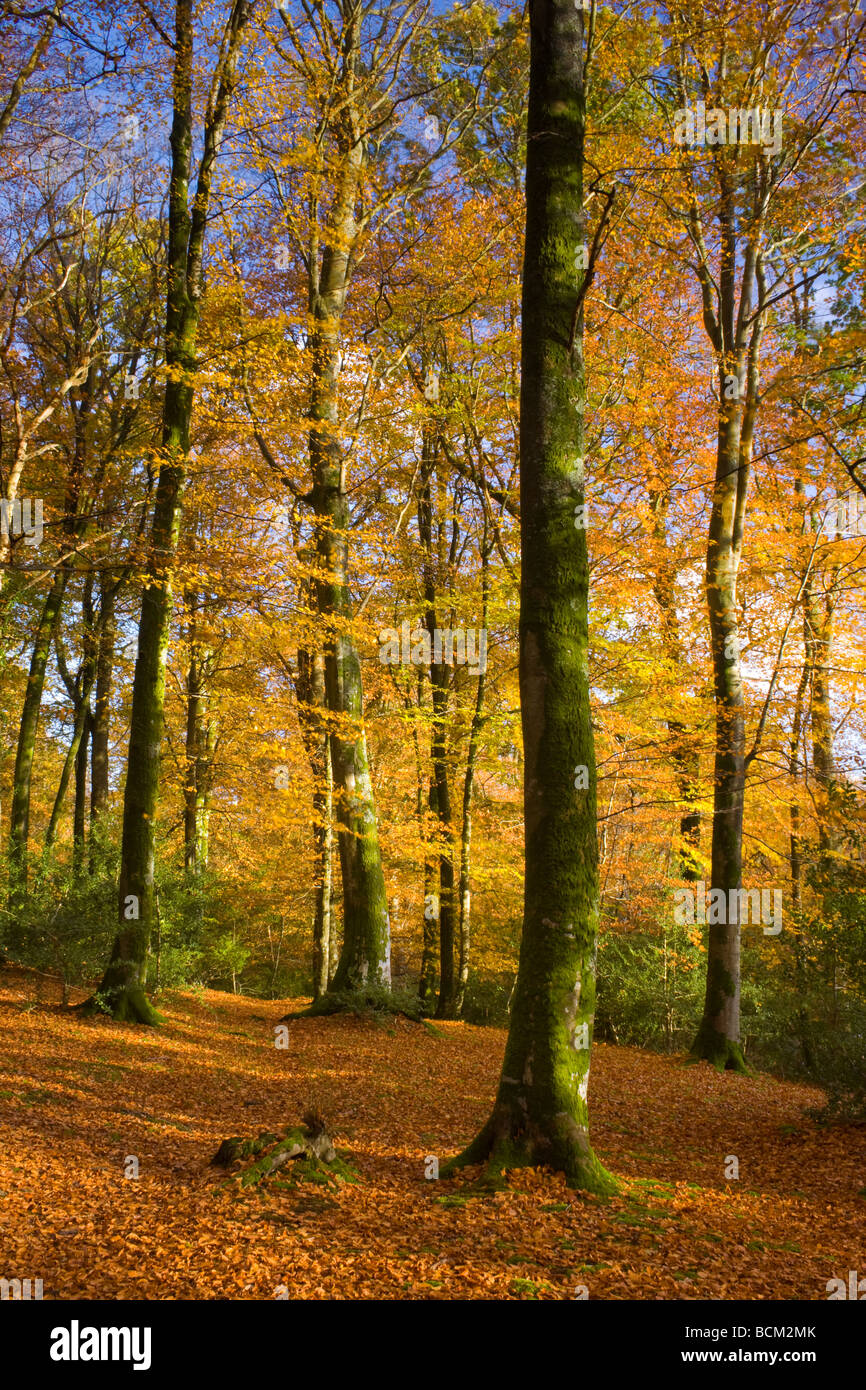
541	1111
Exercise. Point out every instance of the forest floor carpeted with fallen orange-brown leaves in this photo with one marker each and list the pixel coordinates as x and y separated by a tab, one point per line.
79	1097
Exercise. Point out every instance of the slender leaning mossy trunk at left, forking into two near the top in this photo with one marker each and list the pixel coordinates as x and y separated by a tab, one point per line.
122	990
